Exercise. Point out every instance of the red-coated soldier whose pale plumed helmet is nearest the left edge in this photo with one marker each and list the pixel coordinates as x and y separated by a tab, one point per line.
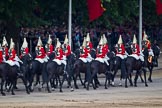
5	49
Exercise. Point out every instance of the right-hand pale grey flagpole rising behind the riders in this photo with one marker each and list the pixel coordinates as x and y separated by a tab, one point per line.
140	24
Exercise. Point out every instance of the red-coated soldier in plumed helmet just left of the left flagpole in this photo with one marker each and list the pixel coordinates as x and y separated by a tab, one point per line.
66	48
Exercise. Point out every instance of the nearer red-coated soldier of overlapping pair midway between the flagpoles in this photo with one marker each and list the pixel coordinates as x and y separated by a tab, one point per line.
100	52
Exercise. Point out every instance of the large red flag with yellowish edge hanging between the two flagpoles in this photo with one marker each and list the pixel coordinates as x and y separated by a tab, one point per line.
95	9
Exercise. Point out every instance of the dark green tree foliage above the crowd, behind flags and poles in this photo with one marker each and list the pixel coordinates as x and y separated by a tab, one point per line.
29	13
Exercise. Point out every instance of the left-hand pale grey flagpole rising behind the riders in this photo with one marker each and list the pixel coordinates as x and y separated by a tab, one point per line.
70	23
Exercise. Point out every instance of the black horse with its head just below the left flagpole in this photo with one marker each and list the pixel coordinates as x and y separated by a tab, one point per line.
55	71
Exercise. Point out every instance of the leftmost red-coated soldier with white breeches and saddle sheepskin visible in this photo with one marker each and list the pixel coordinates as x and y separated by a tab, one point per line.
12	55
